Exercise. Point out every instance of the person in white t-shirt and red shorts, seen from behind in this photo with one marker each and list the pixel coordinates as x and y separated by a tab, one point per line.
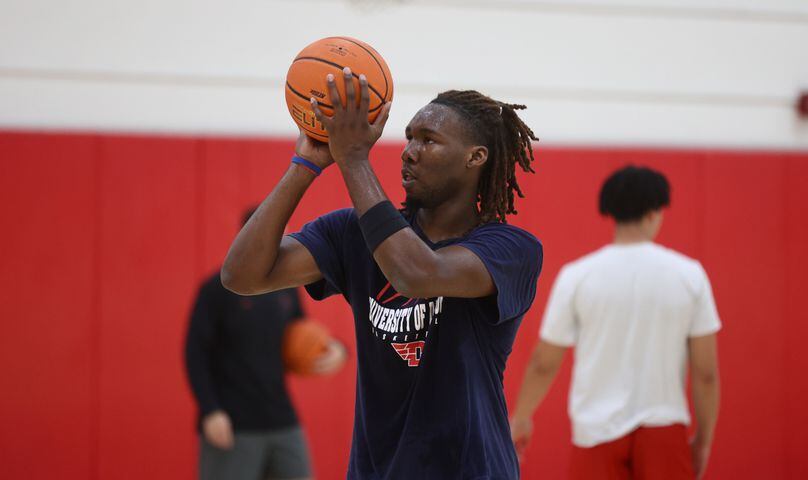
638	314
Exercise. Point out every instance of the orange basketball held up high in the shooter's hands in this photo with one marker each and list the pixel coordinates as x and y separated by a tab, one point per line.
306	79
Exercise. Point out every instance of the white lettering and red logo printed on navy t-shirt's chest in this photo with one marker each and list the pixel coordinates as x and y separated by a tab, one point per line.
403	322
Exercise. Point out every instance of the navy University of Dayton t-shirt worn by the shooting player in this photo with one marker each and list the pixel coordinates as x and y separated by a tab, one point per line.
429	394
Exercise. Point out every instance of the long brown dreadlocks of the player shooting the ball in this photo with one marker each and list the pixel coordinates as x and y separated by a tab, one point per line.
495	125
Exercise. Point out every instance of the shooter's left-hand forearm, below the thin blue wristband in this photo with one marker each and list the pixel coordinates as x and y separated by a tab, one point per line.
252	255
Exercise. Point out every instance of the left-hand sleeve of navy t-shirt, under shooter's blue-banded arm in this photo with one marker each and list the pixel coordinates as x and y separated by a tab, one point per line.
324	238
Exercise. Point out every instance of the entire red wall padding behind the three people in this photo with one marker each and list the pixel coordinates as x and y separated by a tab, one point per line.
106	238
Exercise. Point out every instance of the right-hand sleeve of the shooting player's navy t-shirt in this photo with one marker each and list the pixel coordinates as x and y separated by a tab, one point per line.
513	258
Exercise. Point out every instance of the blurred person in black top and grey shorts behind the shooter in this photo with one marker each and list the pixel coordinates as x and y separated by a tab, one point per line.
248	425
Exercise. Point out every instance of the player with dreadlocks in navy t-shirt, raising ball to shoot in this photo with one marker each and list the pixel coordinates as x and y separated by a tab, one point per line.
437	292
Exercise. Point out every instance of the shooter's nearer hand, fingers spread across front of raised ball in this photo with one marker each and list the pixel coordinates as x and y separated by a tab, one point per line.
350	135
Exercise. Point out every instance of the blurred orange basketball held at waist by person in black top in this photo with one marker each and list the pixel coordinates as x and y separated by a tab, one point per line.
303	342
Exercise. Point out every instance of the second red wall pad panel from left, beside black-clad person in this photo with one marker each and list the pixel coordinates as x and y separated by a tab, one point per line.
148	272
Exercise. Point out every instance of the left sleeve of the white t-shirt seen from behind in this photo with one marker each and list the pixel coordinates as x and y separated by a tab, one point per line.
559	325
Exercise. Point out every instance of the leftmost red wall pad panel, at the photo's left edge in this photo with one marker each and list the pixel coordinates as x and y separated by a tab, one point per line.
48	306
